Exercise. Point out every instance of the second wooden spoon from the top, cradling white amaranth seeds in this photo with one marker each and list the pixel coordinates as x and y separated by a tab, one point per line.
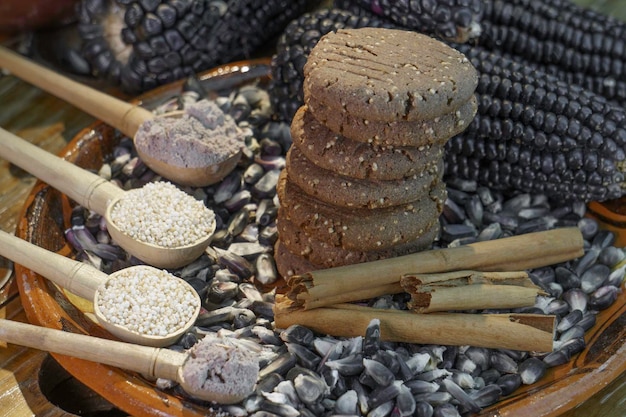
97	194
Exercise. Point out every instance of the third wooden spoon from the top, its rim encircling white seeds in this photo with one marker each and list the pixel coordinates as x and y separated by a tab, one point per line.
88	282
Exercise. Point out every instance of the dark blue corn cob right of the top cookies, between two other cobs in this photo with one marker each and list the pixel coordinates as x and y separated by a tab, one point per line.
535	102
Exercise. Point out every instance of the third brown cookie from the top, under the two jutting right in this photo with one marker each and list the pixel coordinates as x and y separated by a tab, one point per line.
358	159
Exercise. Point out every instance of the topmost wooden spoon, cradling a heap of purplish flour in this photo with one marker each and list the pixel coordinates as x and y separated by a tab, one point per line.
124	116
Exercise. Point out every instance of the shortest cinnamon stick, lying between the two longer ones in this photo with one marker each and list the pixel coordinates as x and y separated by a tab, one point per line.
468	290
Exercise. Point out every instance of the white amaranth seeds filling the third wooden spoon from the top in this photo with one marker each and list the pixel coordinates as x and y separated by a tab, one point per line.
147	300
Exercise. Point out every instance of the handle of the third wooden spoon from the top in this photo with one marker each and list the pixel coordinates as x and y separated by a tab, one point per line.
77	277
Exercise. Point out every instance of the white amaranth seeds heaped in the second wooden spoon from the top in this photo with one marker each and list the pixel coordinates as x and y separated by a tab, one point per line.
161	214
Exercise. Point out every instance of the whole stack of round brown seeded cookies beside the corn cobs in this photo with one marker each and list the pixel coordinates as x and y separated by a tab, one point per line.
363	177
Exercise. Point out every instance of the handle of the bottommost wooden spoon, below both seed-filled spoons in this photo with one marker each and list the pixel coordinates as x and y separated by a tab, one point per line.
150	361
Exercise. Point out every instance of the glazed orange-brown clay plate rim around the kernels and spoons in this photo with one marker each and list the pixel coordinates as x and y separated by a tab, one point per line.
46	214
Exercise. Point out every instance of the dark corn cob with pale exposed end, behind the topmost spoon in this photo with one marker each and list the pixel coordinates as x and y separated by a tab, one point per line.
141	44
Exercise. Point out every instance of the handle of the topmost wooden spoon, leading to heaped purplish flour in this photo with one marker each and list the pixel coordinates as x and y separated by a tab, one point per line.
124	116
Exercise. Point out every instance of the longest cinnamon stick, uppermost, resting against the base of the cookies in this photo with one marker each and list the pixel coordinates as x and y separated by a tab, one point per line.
532	250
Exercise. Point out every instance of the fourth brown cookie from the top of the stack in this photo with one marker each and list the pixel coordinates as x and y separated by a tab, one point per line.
343	191
